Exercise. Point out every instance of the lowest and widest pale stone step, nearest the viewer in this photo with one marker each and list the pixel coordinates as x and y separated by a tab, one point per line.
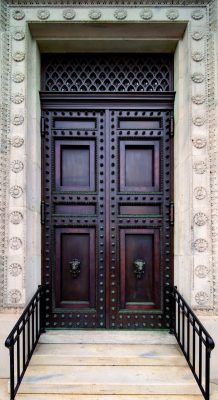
104	380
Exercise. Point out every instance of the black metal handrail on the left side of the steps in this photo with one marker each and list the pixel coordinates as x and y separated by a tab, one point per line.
24	337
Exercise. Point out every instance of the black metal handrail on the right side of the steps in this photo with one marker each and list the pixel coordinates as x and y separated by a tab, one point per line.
193	339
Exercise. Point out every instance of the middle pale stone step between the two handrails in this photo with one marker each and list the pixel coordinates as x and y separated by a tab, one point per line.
107	354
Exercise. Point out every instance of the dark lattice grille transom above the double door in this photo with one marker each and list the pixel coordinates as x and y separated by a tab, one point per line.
107	73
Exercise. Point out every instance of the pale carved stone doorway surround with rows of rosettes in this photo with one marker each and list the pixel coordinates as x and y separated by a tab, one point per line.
186	28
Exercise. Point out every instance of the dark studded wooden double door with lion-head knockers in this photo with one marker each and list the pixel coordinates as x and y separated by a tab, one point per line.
106	199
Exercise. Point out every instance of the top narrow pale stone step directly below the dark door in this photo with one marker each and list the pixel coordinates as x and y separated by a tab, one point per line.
106	336
